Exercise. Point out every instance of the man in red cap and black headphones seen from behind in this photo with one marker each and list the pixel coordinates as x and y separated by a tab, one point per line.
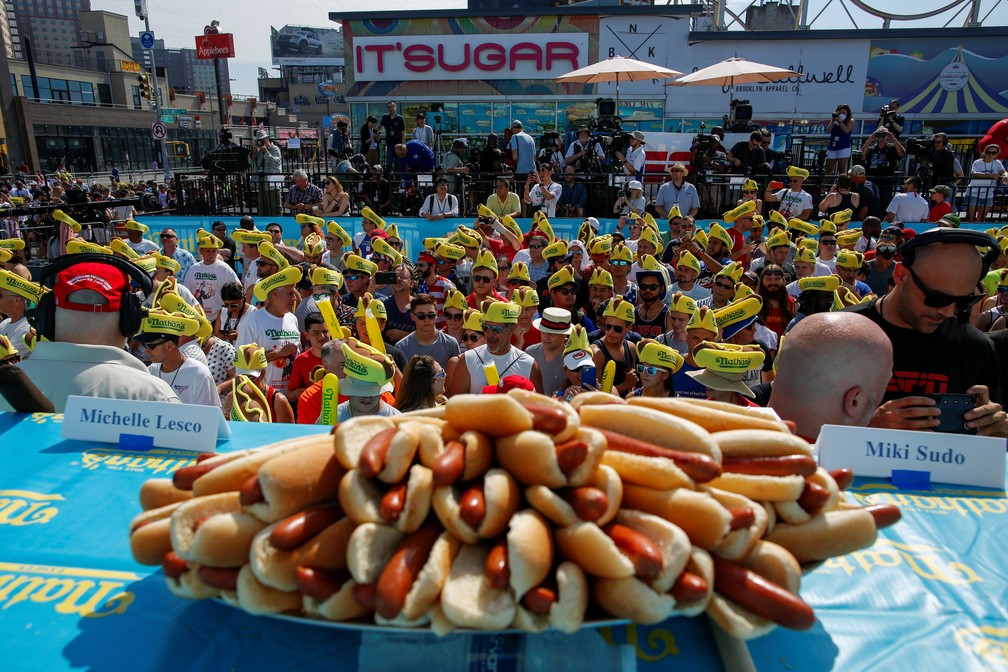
89	317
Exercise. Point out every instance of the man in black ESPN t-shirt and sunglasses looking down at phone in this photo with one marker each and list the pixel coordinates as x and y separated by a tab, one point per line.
934	353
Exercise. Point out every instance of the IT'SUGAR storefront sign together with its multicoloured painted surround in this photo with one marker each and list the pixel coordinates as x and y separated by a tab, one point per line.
486	56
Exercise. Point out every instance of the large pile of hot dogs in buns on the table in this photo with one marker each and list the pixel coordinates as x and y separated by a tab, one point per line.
514	511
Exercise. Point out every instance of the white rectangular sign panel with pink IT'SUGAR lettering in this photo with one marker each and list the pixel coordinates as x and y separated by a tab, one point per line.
529	57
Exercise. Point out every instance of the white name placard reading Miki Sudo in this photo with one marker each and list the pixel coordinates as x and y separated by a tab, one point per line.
953	459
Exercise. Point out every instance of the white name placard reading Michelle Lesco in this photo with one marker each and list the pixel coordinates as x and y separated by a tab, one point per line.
145	425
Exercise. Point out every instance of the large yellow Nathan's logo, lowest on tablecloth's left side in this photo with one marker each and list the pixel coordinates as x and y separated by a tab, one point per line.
76	592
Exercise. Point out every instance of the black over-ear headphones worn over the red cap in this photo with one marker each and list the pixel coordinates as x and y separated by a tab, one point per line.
132	311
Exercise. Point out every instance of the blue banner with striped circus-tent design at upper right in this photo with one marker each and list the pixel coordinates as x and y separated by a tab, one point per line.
939	77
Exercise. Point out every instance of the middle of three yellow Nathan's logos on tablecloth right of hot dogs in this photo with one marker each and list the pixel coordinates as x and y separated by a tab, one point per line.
930	563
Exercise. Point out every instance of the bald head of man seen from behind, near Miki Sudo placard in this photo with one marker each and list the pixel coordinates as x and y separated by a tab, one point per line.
833	369
